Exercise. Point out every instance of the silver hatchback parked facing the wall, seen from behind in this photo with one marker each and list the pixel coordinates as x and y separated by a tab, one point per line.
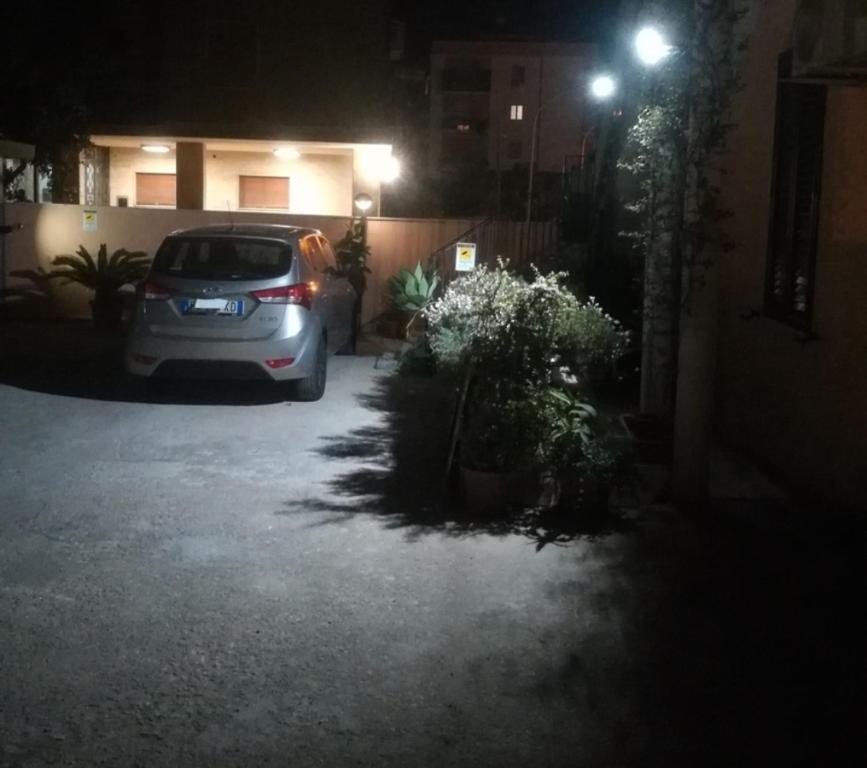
242	301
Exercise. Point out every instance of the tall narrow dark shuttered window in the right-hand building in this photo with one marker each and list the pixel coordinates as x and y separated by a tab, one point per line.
794	225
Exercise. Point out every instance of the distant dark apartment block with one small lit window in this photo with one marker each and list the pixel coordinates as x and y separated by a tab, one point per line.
486	97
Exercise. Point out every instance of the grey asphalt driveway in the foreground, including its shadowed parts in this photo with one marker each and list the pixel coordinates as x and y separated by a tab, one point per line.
219	576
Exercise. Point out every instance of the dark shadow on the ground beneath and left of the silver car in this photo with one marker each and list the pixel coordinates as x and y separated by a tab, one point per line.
73	360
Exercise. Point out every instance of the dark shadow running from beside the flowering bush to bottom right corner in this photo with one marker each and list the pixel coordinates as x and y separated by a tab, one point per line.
710	641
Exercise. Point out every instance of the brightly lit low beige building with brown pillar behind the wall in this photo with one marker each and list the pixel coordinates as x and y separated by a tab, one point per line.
279	176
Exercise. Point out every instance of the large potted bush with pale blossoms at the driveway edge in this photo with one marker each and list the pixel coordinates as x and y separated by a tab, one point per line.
520	429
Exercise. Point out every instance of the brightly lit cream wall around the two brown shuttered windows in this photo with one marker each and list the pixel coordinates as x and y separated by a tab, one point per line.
319	184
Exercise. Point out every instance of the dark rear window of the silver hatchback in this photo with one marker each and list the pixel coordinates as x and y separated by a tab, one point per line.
222	258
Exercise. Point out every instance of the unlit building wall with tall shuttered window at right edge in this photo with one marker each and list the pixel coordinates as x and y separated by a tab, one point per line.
792	367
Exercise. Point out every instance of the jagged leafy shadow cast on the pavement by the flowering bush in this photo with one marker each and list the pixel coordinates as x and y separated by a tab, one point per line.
396	471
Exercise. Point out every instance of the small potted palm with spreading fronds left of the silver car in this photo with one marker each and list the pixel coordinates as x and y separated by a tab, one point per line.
105	276
